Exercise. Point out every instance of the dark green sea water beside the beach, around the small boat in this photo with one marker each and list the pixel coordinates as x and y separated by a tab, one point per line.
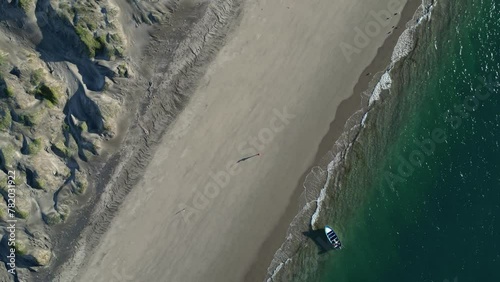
417	197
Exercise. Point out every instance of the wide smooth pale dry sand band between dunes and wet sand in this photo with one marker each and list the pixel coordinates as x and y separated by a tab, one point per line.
284	55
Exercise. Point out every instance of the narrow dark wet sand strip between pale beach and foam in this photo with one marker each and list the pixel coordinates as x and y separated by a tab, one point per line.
345	110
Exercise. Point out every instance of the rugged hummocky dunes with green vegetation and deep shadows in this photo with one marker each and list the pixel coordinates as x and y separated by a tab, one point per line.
57	105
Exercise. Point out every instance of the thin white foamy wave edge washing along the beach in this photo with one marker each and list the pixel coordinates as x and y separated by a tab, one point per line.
326	176
